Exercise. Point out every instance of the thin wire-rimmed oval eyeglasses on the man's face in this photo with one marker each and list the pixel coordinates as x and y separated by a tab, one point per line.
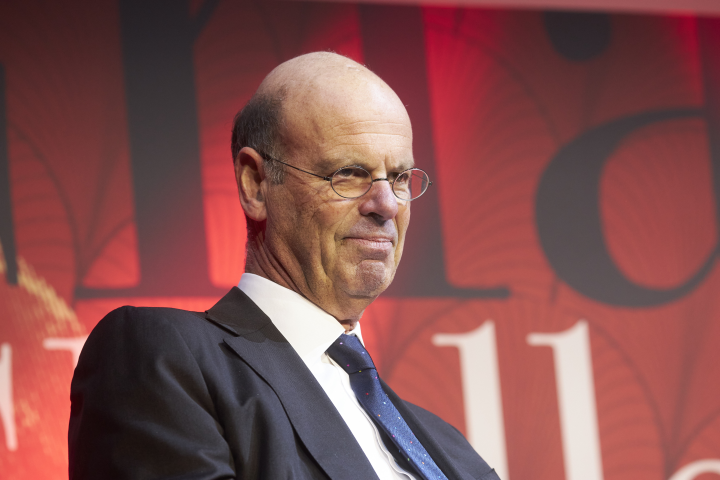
353	181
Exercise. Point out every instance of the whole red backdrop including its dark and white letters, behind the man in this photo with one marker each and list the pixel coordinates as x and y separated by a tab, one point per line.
496	97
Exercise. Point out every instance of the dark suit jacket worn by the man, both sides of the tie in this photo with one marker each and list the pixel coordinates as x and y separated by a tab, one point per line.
165	393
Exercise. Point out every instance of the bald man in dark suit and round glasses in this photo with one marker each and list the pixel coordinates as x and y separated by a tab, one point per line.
273	381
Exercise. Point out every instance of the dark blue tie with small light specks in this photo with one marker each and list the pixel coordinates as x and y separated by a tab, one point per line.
349	353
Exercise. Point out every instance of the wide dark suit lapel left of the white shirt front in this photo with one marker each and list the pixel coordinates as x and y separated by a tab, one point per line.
313	416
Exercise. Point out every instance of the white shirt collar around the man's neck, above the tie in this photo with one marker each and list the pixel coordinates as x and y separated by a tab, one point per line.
309	329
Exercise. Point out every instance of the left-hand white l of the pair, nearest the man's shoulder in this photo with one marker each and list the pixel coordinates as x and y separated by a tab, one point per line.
481	392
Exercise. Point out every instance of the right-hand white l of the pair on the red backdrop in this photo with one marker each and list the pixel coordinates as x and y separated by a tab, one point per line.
576	400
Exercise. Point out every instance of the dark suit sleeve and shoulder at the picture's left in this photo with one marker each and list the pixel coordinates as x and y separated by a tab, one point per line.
140	407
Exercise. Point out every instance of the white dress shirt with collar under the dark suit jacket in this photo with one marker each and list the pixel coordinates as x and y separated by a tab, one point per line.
310	331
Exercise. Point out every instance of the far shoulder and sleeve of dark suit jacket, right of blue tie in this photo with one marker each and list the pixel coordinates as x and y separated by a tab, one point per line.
454	444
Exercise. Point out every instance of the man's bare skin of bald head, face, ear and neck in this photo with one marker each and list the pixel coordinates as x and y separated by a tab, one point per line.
338	253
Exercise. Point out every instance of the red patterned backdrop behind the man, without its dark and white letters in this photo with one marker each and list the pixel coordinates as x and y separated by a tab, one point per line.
502	102
